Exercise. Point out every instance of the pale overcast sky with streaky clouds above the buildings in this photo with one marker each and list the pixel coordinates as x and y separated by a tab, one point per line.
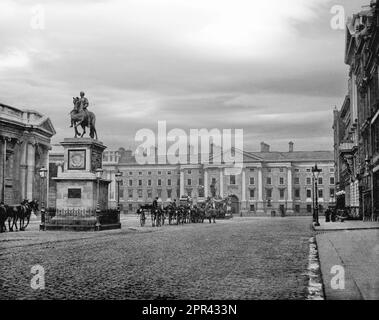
272	68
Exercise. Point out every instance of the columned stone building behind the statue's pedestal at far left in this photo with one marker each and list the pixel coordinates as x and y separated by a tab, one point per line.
25	142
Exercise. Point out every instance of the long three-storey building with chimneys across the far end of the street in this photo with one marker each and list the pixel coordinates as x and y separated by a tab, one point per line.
269	181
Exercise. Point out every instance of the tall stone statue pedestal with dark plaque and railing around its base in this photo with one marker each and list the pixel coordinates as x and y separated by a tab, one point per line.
82	197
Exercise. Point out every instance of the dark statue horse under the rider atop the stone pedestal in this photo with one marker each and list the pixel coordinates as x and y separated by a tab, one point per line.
84	118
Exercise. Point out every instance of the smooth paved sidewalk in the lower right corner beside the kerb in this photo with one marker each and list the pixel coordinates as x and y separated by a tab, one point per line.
357	251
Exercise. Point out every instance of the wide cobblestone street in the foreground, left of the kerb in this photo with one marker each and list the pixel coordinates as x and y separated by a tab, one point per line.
241	258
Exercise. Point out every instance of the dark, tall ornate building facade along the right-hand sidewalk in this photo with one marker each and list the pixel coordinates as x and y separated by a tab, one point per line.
356	125
